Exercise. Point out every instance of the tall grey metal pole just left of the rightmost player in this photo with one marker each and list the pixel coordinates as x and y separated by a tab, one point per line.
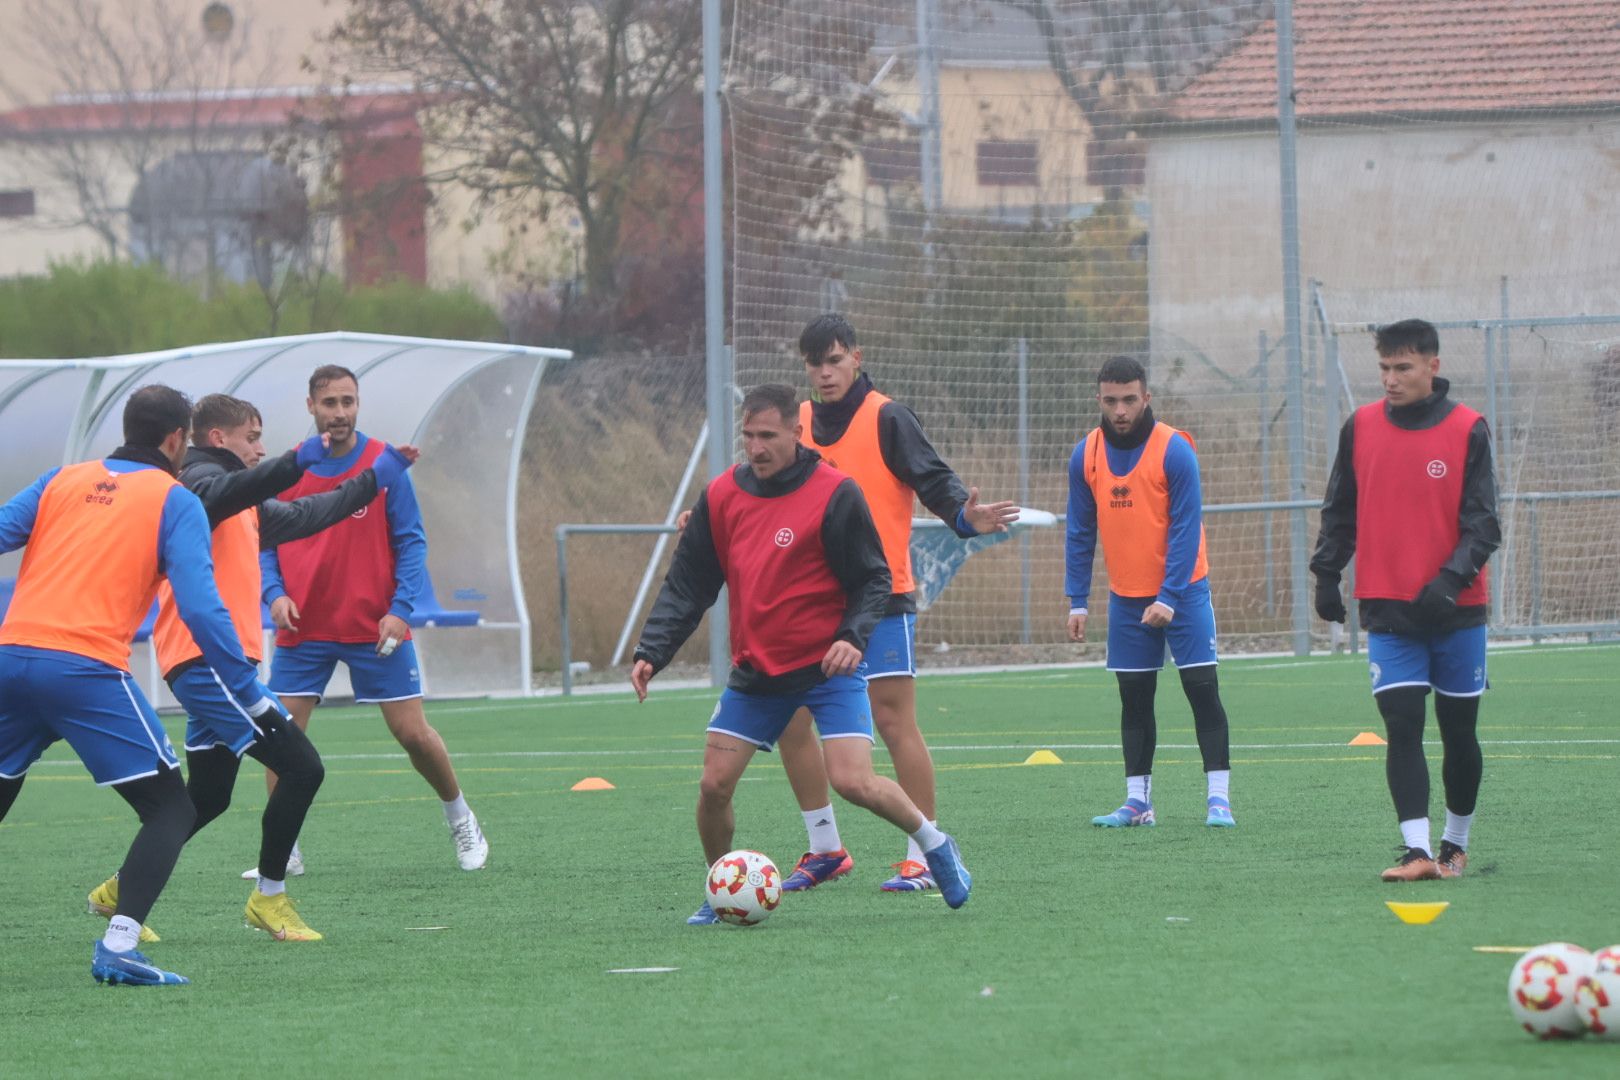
1292	321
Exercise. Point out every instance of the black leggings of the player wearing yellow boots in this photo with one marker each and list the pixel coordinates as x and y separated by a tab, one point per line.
286	752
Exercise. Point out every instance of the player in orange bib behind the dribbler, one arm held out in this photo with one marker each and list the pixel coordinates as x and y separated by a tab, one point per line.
880	444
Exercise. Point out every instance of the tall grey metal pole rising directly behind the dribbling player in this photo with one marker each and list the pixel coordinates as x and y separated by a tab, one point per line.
718	360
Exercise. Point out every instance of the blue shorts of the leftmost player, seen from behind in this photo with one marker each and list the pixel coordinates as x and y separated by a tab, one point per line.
48	695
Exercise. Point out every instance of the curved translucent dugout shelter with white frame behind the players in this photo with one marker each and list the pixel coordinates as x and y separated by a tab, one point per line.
466	404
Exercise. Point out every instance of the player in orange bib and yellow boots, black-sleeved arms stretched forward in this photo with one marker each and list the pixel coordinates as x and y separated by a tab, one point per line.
224	470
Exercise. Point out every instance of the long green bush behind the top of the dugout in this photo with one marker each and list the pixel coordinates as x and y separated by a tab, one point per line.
108	308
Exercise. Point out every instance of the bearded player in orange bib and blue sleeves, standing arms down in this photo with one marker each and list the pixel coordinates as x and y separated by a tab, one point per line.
1135	487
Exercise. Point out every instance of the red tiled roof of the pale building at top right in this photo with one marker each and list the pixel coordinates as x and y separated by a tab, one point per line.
1357	57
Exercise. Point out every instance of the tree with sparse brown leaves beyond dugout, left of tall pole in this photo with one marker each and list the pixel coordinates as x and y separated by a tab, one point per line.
545	104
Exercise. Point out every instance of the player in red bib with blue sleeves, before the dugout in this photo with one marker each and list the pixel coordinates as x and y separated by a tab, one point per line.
346	595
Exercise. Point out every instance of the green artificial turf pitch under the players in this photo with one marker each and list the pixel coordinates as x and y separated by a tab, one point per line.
1180	951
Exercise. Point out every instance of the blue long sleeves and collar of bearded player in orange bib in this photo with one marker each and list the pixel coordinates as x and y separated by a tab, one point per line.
1187	519
